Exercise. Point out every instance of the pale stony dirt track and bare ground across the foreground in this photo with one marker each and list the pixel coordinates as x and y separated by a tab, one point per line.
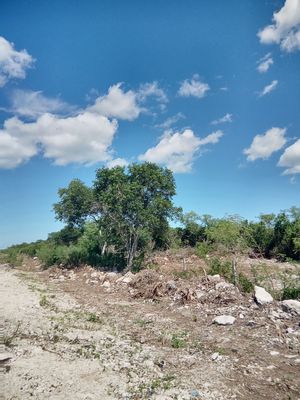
70	340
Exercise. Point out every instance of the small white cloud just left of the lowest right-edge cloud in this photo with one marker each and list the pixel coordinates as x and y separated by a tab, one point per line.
263	146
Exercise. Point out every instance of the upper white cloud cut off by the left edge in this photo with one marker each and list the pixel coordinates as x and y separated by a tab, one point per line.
13	63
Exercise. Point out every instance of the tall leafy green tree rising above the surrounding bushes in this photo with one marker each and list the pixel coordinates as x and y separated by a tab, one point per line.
131	207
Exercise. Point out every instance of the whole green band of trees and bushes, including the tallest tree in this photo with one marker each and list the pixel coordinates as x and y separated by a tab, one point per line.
126	214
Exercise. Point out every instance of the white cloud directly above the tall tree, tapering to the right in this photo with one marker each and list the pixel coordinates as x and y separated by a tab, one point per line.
178	150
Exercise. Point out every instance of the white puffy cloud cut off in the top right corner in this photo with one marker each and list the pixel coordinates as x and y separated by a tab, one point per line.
285	30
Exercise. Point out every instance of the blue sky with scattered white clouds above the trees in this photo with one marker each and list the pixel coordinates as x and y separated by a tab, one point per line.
210	89
